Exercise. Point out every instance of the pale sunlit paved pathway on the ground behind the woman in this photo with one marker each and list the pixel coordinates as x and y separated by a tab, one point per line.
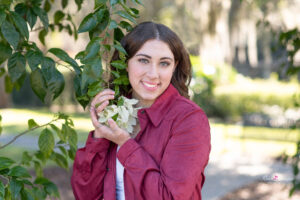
231	165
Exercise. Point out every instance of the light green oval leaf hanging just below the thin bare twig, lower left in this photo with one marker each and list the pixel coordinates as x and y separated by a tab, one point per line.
46	142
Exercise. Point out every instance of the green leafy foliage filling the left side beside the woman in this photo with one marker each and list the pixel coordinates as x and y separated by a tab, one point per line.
18	19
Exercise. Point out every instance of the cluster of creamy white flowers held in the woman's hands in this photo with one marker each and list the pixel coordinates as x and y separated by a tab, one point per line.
124	114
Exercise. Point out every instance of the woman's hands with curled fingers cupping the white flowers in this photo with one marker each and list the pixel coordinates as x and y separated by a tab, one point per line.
113	132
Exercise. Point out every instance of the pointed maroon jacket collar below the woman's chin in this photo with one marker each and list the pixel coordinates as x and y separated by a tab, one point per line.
157	111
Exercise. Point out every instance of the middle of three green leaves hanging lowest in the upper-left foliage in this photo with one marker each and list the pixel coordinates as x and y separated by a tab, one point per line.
38	84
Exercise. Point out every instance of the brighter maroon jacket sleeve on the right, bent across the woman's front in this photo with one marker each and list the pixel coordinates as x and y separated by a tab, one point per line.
182	165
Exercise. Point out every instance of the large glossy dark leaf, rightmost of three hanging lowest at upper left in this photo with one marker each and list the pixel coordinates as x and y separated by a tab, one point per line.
54	79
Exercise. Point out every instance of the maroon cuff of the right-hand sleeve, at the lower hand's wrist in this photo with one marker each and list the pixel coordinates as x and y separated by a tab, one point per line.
126	150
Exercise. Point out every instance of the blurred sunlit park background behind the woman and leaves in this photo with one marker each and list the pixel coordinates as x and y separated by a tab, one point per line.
240	79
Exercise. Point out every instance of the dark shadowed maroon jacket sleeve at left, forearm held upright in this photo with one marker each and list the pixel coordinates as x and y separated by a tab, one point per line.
89	169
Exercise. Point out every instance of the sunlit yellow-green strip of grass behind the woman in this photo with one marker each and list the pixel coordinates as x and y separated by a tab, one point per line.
15	121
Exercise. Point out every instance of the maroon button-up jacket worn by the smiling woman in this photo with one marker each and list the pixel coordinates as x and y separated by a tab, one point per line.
165	161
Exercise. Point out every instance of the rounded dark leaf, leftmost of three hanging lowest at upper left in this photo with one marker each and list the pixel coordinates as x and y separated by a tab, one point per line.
16	66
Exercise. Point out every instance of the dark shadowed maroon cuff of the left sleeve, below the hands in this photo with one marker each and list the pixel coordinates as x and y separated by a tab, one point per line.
95	145
